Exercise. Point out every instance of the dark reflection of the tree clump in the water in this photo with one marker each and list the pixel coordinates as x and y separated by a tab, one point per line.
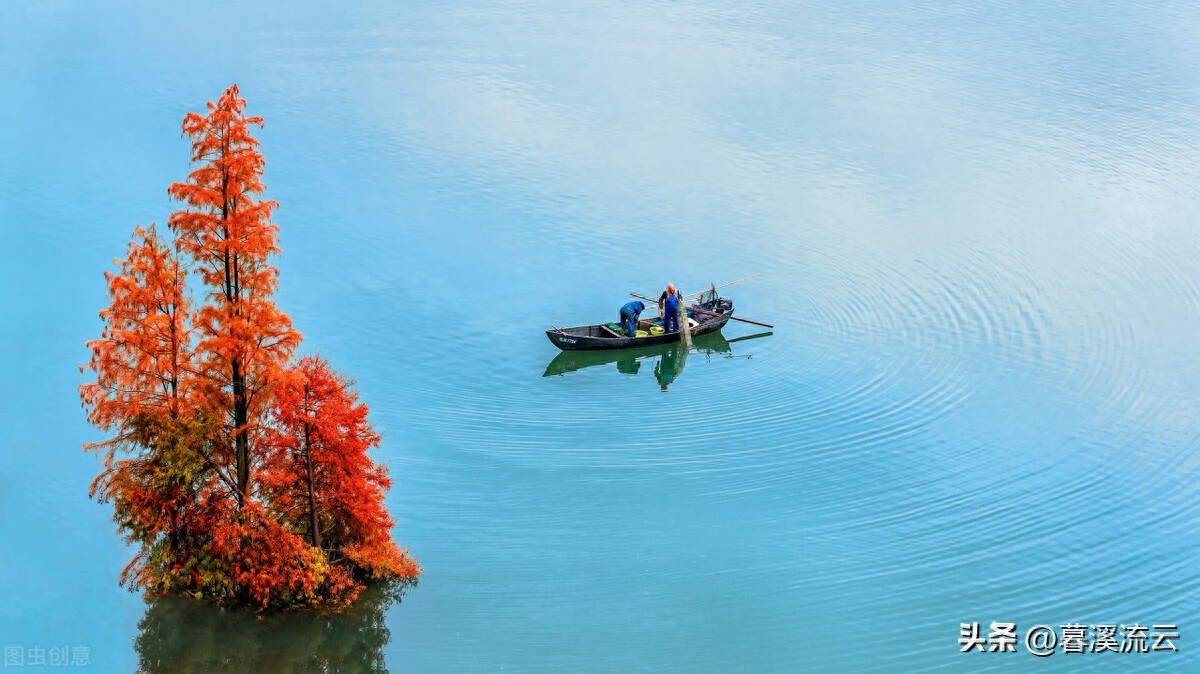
179	635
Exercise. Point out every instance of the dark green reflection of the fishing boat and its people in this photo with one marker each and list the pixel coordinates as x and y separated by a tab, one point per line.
669	360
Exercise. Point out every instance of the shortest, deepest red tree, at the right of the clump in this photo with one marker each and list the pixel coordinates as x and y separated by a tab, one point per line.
317	473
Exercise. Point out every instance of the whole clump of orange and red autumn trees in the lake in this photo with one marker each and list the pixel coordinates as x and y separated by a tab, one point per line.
237	471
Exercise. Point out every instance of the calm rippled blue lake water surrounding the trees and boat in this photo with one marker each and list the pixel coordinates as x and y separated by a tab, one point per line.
976	231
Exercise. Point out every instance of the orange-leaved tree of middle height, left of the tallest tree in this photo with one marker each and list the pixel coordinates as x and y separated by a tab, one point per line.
143	396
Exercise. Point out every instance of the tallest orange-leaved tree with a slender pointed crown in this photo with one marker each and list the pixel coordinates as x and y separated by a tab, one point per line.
244	339
